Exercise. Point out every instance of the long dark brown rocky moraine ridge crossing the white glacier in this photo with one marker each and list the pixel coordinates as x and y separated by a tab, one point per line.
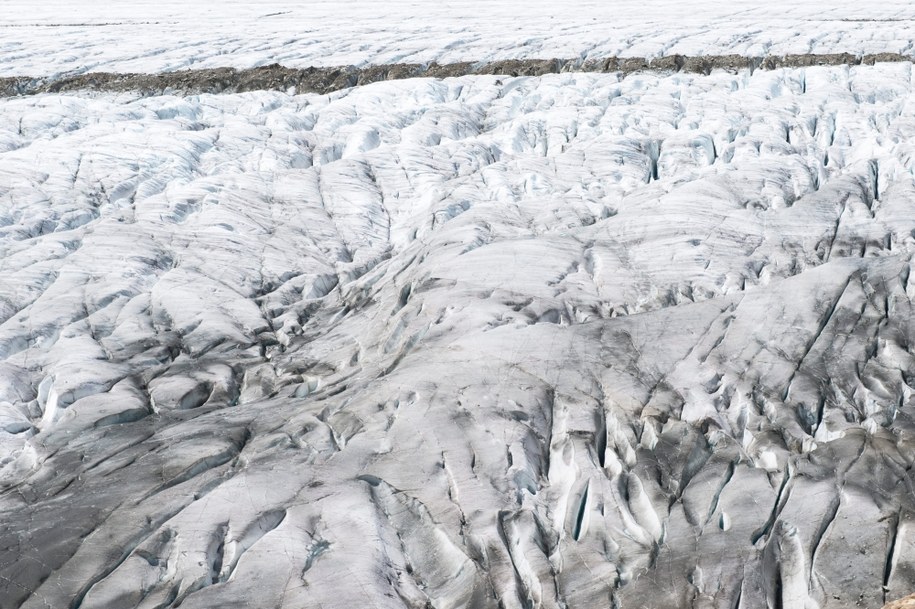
328	79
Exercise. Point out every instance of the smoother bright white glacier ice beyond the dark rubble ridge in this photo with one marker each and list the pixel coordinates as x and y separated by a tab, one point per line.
51	38
